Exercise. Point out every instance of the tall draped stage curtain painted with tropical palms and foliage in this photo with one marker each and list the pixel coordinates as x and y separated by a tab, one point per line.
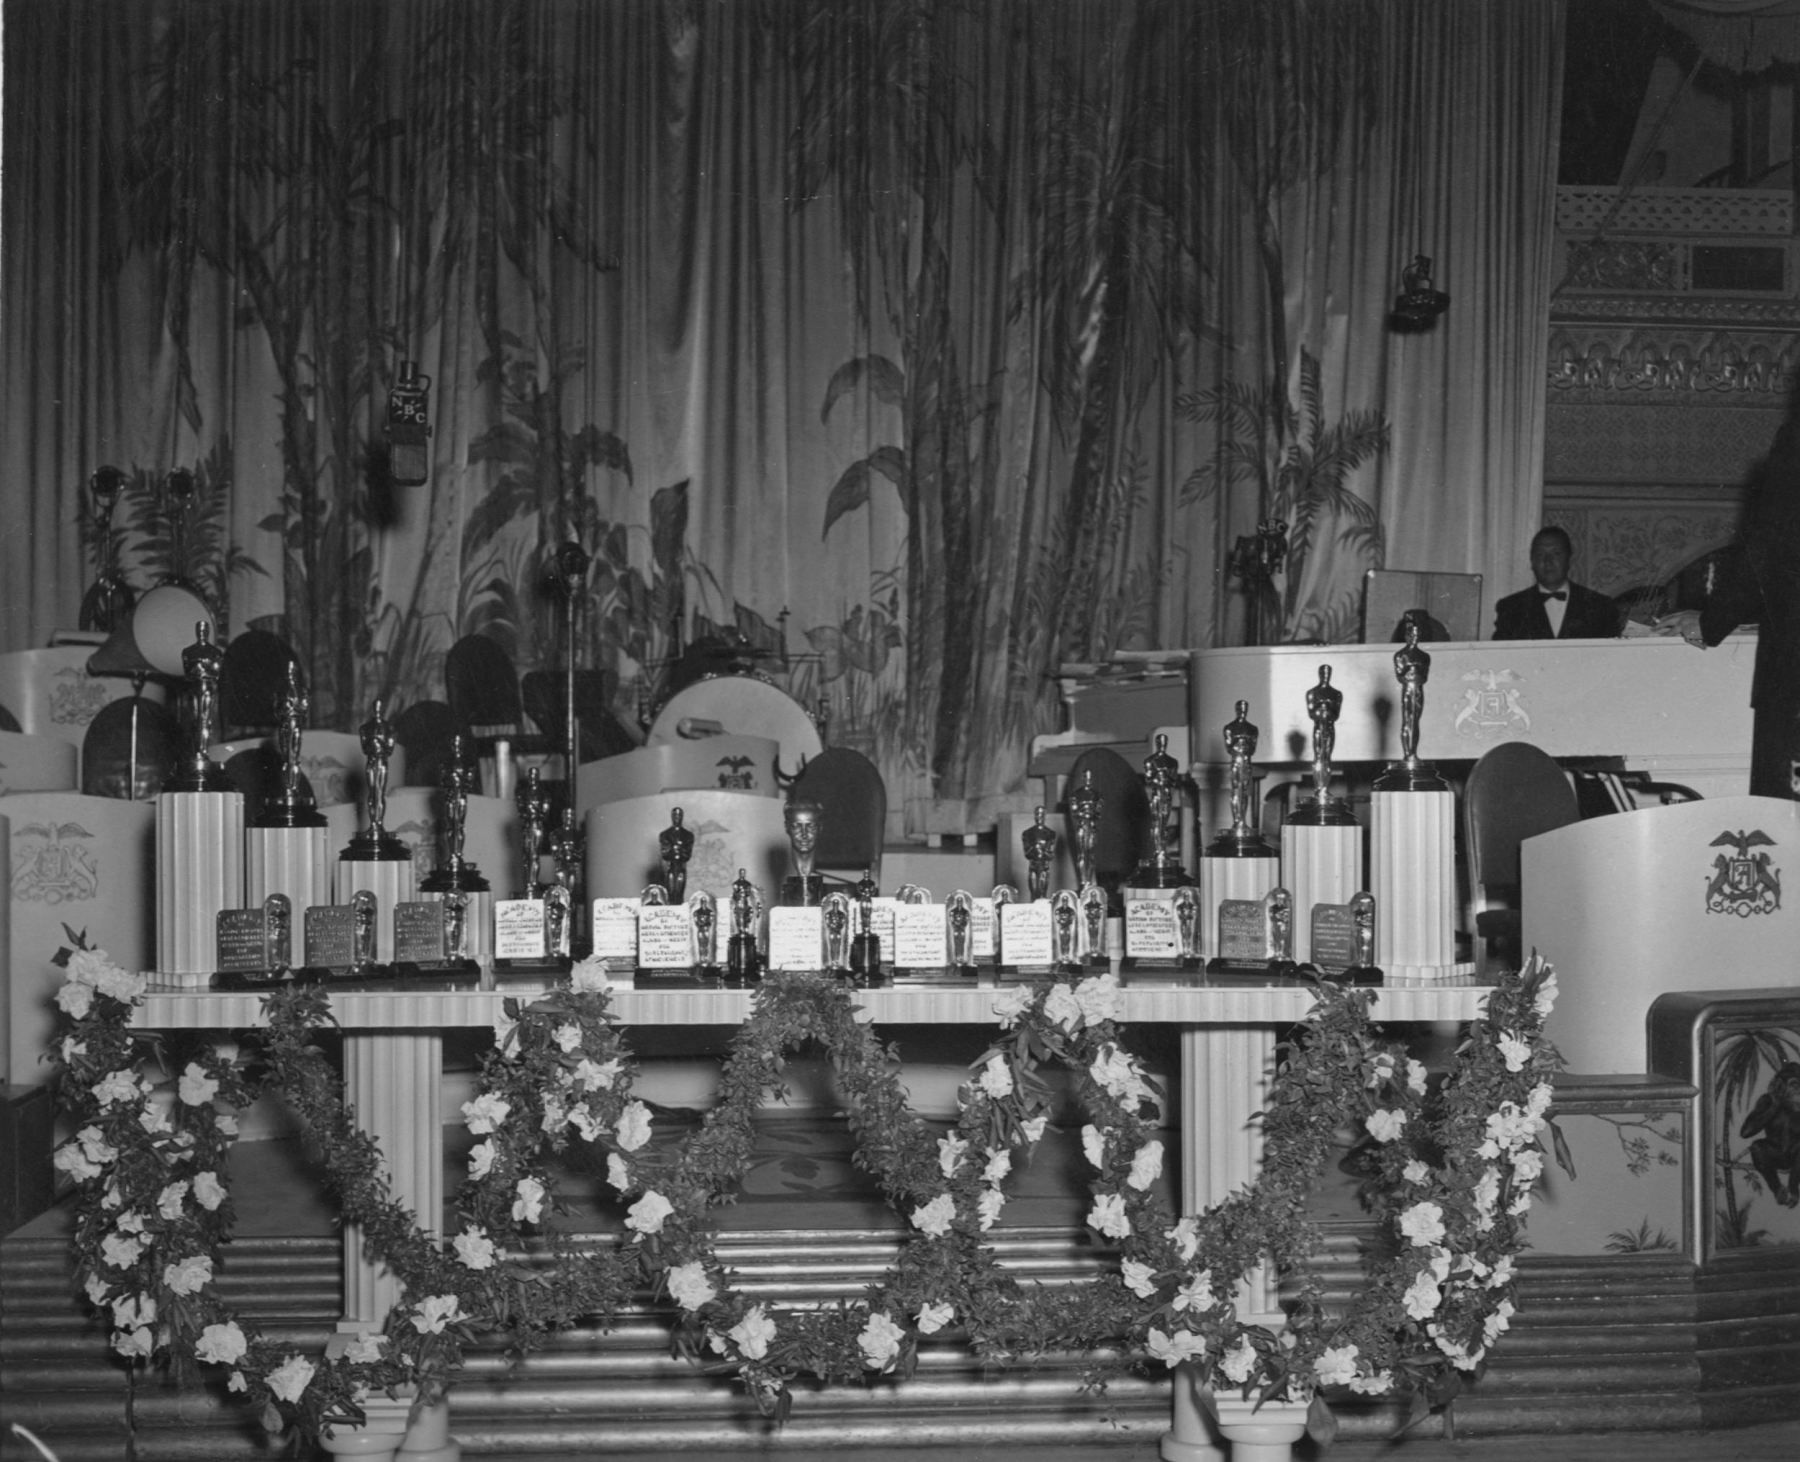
939	343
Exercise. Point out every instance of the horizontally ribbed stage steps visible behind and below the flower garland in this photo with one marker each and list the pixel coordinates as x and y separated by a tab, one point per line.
1594	1346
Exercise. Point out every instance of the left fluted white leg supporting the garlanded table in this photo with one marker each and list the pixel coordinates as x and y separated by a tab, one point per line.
393	1079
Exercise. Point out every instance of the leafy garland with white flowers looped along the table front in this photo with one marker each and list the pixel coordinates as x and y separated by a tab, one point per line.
1457	1164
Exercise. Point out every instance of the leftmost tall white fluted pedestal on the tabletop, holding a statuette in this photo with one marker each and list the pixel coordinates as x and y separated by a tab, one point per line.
199	872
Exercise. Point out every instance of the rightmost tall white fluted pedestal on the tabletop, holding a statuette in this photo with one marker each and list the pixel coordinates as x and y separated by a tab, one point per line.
1414	880
